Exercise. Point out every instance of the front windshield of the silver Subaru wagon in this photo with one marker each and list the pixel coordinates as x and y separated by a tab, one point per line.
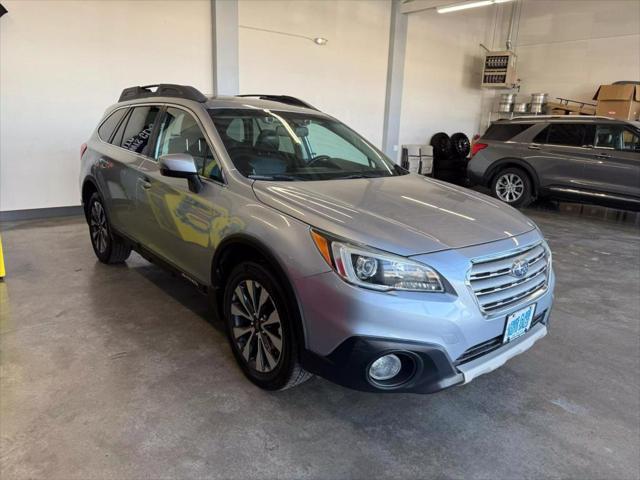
270	145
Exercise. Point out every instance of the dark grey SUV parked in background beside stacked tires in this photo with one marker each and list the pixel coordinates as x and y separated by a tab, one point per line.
584	159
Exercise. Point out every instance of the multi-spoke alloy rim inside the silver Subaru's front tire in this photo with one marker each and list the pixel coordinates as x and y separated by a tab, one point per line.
256	326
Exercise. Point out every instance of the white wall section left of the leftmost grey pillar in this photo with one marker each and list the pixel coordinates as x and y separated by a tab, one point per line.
63	62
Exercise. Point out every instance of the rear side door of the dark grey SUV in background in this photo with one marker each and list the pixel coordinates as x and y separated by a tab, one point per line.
564	156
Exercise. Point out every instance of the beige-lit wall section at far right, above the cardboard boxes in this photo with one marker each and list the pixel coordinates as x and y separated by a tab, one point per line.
568	48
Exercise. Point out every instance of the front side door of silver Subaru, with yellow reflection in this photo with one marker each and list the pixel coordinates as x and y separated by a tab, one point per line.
180	225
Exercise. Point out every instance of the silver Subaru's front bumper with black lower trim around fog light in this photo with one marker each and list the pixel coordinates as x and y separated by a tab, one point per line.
348	327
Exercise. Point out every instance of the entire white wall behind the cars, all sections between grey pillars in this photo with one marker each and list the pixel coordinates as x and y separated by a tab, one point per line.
63	62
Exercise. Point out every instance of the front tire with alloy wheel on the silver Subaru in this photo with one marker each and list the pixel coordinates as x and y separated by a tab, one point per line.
259	322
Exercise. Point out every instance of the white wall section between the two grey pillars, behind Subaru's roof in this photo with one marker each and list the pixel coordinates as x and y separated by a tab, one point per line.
345	78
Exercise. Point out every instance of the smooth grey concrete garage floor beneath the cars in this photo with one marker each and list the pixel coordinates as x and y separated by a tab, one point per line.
119	372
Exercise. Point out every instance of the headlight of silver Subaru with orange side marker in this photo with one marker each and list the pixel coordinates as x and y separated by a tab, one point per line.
376	270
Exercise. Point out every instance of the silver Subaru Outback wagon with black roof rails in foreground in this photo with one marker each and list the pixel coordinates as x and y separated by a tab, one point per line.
320	255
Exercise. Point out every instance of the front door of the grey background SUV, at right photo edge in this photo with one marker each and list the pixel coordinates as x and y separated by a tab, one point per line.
617	151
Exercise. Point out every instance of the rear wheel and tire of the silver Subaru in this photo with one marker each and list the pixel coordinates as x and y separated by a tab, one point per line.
107	245
